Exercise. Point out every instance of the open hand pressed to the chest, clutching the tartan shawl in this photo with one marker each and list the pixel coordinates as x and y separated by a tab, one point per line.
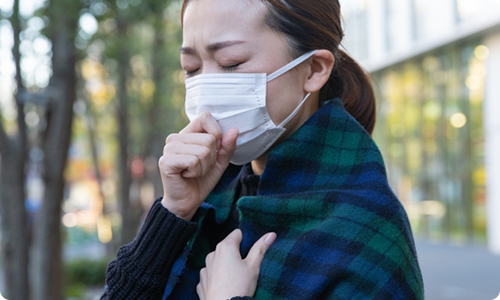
226	275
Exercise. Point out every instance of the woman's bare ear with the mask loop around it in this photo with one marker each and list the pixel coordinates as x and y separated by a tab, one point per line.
320	68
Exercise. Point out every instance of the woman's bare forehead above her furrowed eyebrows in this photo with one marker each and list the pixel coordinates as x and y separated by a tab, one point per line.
209	21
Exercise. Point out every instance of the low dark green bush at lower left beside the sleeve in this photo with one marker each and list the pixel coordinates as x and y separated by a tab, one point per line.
85	272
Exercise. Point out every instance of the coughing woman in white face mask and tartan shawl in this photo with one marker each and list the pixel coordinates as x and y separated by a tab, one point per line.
299	210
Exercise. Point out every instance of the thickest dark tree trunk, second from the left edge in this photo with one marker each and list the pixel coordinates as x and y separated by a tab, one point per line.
47	255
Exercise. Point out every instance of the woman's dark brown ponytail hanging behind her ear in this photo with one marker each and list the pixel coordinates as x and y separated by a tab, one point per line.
352	84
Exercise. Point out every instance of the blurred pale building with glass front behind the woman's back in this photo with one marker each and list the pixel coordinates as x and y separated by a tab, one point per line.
437	65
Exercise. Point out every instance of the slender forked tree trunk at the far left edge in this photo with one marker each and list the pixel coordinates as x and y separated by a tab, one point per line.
12	190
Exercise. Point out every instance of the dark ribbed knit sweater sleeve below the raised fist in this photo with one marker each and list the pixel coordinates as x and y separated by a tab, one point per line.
142	267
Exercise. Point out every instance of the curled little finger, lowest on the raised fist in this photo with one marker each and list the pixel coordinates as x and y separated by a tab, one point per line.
186	165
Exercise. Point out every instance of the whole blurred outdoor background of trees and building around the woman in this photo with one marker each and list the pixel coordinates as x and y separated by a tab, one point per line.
89	89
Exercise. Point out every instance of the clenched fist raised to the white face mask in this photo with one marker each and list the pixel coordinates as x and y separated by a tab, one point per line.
193	162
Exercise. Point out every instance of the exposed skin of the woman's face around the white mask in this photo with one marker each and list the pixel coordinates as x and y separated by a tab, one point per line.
231	36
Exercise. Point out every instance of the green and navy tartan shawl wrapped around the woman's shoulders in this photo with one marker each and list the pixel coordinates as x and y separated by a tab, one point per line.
342	233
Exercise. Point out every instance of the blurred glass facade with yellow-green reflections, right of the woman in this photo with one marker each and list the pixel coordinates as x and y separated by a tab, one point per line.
430	130
